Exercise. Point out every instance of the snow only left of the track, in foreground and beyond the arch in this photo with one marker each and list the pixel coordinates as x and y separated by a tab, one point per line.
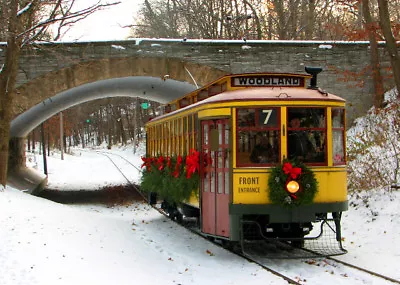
42	242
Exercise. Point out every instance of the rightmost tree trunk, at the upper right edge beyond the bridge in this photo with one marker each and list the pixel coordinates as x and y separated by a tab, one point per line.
391	46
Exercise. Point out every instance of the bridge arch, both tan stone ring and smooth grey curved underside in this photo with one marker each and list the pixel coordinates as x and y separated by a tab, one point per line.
142	77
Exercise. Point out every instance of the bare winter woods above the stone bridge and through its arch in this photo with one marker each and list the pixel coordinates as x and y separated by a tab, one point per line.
121	120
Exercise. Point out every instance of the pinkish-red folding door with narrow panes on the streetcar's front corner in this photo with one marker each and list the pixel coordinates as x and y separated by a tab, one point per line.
215	179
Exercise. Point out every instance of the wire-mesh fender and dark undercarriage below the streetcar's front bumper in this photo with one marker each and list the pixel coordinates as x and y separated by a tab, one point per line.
320	238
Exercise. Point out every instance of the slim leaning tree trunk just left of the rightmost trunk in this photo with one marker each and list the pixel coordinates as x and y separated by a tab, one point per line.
376	72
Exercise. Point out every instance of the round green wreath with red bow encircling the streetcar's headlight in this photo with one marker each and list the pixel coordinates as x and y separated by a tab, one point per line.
289	171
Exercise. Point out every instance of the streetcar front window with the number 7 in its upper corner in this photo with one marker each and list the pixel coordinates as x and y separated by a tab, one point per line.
258	136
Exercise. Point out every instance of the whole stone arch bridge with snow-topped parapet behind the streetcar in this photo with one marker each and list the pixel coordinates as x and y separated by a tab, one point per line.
55	76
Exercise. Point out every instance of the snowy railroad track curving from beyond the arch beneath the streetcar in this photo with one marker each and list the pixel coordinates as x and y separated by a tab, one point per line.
334	268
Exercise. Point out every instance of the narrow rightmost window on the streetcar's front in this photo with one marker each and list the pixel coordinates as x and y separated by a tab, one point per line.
338	155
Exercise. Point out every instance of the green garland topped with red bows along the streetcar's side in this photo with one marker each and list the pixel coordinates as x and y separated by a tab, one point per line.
174	179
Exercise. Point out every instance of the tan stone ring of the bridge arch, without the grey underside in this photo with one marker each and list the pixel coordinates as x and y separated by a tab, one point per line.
38	89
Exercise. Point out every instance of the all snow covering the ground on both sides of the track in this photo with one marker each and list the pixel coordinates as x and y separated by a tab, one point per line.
42	242
